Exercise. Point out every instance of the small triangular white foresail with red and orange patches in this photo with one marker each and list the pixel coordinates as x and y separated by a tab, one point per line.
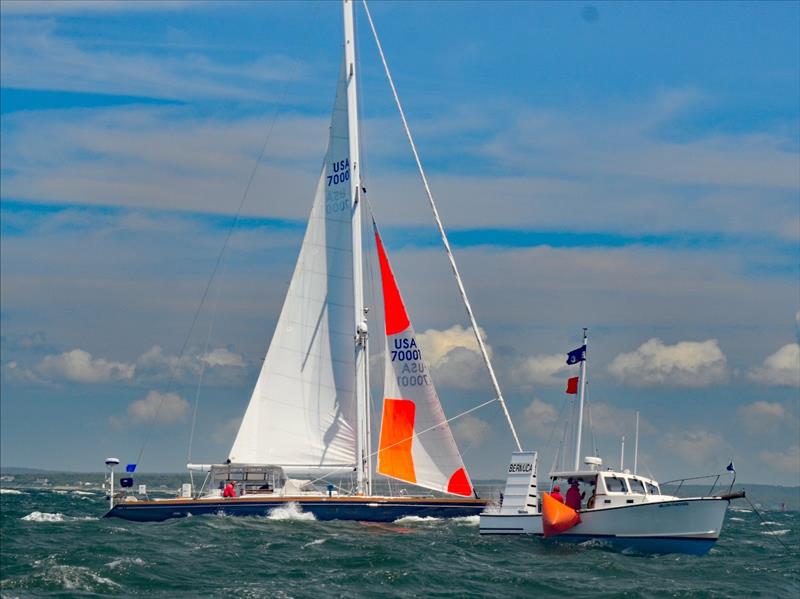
410	406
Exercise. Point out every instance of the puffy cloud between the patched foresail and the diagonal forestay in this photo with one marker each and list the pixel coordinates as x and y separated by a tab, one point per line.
454	357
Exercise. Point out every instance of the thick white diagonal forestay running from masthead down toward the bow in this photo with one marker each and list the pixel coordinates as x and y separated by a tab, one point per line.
442	234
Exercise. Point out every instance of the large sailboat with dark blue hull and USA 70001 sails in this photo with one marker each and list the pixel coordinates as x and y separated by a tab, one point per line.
309	413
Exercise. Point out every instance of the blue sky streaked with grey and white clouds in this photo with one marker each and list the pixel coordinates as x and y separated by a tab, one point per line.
629	167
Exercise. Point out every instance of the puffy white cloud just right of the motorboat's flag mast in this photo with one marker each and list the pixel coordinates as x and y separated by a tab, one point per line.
687	363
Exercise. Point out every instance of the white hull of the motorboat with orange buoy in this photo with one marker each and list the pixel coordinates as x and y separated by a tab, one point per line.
672	526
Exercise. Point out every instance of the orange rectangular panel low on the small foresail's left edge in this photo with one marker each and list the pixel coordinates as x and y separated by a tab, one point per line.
397	432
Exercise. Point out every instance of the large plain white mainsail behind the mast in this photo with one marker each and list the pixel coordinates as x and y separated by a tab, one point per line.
302	411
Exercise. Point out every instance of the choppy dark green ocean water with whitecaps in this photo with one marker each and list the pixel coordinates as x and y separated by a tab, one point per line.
54	542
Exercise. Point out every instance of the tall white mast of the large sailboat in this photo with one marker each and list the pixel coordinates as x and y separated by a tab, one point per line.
360	326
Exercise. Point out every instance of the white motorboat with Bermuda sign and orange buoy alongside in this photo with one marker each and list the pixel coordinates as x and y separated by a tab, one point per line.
623	510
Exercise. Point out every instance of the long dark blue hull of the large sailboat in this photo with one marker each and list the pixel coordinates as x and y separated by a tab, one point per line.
367	510
